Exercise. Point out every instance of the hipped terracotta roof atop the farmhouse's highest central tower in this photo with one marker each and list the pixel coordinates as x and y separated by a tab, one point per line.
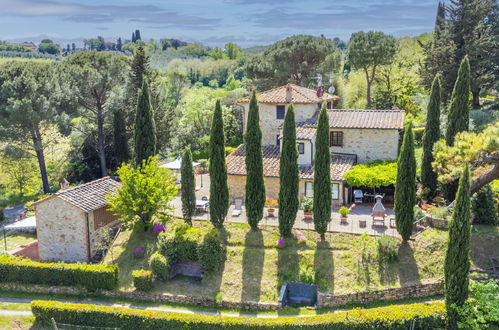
297	94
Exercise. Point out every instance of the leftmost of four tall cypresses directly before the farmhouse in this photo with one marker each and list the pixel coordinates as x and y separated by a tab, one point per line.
219	190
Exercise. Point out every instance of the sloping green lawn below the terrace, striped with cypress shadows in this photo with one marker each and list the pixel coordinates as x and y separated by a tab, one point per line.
254	266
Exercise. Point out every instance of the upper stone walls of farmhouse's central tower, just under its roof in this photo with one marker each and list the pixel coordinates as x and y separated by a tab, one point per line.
269	123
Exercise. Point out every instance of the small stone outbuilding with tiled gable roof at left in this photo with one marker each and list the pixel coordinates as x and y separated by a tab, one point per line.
71	222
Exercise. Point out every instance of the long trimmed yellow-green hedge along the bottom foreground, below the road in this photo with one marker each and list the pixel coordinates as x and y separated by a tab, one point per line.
419	316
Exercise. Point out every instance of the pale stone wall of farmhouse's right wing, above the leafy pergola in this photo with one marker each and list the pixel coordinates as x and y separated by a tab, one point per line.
369	144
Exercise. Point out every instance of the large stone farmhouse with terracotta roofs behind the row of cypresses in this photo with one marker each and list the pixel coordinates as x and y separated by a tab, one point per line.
356	136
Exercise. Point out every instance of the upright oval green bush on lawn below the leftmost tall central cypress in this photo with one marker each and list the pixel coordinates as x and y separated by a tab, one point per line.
211	252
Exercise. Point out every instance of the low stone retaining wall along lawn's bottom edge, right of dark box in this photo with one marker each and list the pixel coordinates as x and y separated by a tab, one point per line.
413	291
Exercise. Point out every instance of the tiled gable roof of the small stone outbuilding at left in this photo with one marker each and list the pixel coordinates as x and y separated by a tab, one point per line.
89	196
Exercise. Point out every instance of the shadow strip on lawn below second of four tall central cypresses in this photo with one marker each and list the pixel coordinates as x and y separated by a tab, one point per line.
253	259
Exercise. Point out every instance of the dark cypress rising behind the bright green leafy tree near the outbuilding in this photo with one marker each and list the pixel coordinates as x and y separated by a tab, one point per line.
145	128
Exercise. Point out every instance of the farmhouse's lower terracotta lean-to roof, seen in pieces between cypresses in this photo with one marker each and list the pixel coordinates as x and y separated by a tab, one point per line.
236	164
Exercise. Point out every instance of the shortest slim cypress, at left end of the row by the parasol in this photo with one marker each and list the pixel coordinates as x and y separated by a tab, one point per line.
188	187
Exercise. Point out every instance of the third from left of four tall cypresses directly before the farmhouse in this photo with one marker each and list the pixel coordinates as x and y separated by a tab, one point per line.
288	175
